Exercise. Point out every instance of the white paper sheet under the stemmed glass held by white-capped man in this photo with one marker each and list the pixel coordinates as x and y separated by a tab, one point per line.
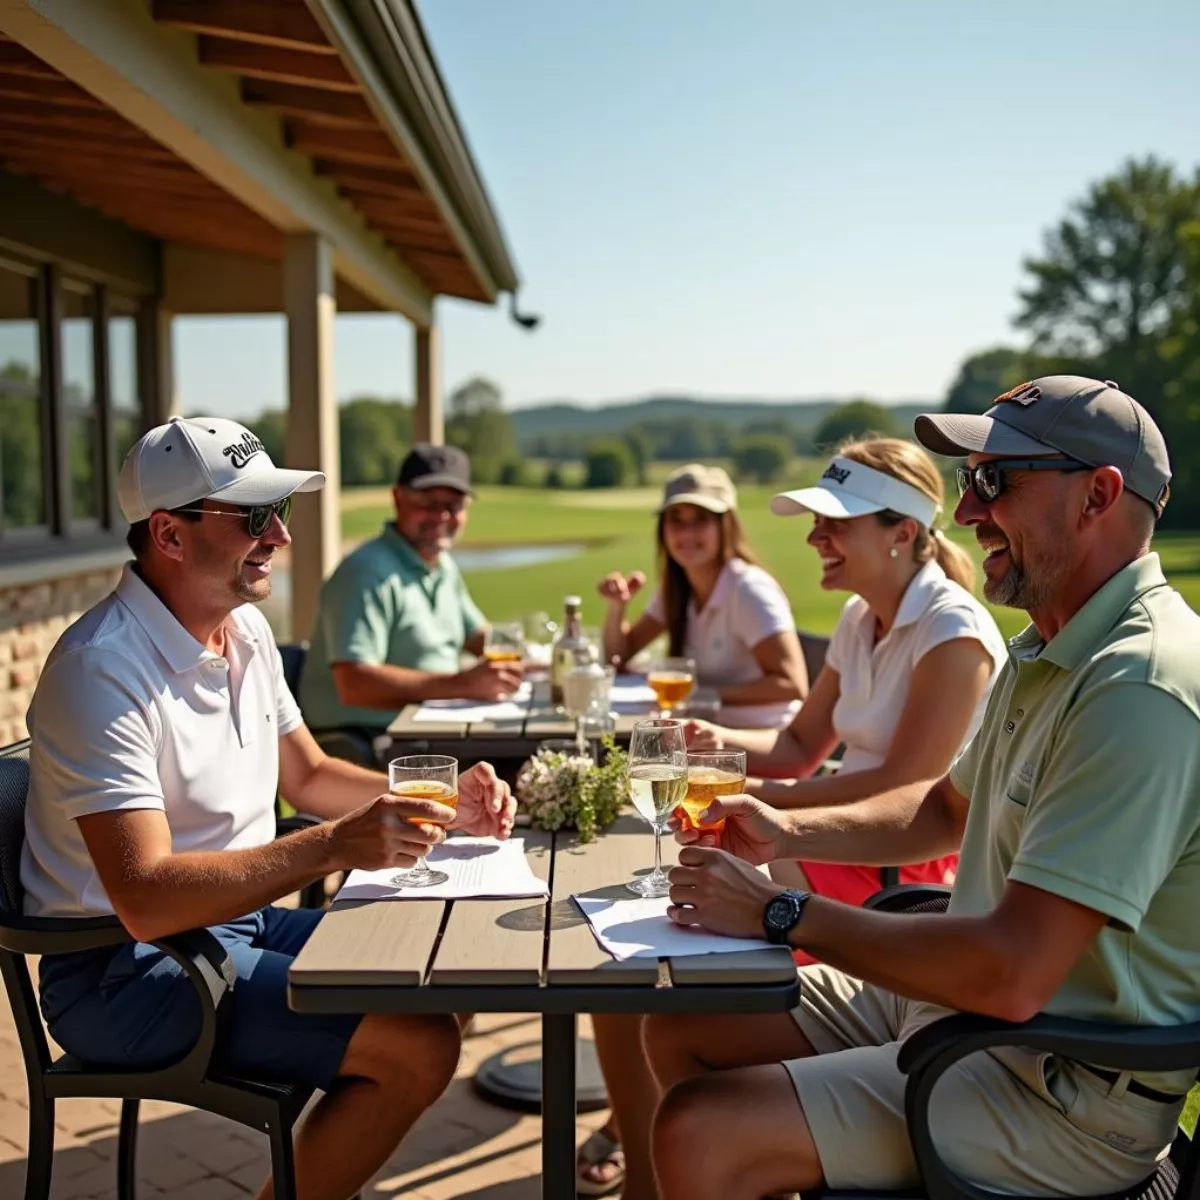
478	868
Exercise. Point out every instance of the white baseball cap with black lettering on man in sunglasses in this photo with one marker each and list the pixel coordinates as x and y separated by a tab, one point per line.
197	458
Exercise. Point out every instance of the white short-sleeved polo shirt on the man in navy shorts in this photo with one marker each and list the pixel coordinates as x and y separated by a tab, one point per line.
133	712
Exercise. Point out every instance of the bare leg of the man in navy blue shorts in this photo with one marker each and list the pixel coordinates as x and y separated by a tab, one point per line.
394	1069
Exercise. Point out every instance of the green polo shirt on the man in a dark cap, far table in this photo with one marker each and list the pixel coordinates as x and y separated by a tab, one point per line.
385	605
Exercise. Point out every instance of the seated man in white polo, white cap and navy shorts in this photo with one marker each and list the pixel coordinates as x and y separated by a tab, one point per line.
161	731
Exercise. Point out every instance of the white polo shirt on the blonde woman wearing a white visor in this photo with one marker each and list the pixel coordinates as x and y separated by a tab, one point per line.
875	676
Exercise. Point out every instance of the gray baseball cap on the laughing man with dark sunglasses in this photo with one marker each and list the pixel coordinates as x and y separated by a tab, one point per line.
1090	421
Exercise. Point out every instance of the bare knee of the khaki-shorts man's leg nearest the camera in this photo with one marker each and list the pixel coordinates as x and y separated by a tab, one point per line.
735	1135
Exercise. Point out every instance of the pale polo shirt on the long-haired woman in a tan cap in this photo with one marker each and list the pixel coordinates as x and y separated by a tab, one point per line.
746	608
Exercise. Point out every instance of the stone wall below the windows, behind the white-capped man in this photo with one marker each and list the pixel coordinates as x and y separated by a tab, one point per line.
32	619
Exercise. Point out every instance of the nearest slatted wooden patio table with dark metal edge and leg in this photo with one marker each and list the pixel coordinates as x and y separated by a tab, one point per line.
529	957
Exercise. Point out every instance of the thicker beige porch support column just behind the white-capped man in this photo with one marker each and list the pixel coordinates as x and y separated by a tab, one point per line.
311	424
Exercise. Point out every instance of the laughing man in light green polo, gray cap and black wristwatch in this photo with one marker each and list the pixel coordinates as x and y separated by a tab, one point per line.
1078	812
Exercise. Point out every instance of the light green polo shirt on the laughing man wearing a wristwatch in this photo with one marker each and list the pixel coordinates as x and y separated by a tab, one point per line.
1085	782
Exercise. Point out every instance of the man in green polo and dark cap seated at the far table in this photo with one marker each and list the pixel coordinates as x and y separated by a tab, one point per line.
395	617
